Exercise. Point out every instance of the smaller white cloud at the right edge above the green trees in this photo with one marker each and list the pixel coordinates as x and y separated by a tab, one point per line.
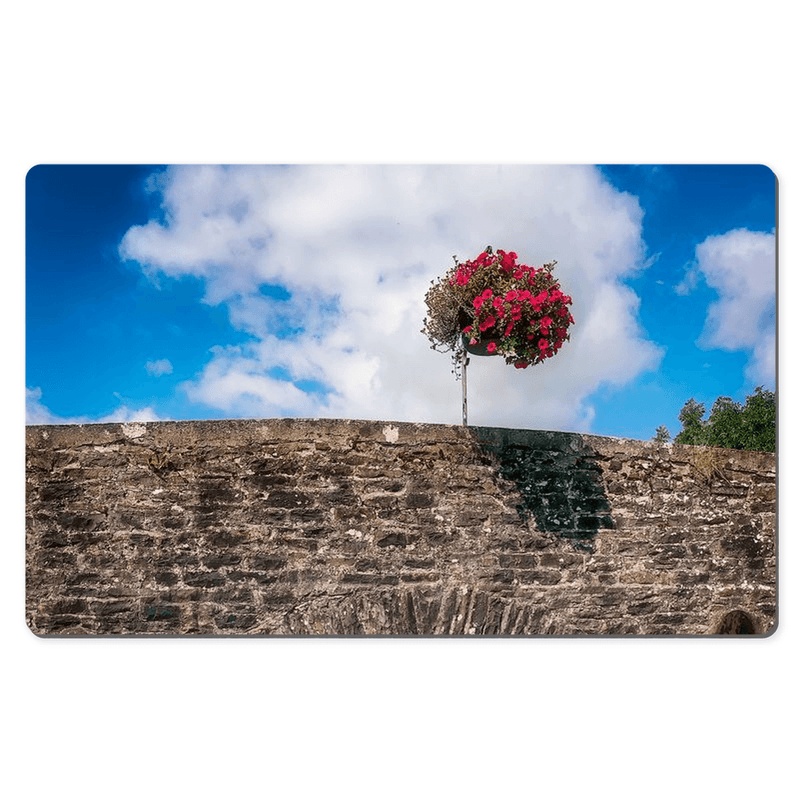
740	266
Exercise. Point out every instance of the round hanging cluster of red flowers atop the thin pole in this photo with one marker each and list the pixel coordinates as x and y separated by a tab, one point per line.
518	311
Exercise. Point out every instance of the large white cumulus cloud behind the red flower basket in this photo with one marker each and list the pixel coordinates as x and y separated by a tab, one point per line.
356	248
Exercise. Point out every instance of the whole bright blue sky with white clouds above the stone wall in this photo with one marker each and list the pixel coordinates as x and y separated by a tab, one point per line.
158	292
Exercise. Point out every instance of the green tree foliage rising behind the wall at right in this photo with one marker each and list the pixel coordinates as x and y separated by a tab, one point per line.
740	427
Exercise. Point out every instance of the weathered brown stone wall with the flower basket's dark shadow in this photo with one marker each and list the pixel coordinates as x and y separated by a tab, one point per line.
348	527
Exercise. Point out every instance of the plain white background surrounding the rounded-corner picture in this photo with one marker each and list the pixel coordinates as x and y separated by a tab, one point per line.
357	82
